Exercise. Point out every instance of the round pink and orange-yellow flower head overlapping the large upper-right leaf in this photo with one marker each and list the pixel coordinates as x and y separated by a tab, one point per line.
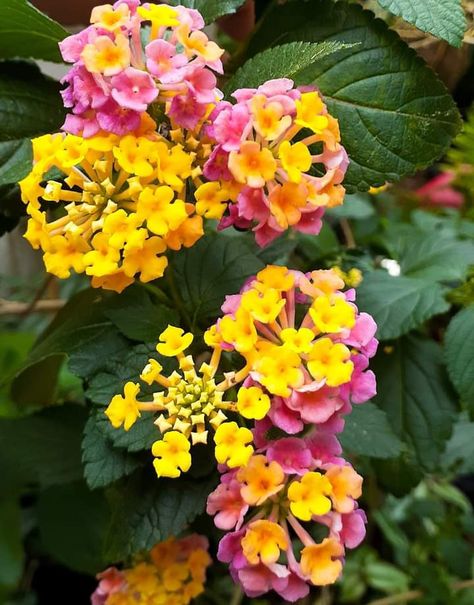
277	158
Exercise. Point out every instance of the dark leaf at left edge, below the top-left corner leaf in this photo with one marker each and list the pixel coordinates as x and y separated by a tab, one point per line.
30	105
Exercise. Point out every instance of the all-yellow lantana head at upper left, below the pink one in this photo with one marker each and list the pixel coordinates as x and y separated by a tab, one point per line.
110	206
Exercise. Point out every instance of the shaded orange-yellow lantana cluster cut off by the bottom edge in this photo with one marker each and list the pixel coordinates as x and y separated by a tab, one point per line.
173	573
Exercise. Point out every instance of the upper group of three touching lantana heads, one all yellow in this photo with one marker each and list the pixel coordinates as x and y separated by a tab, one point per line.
151	149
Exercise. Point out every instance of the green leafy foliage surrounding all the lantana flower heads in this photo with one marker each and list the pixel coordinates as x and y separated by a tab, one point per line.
75	495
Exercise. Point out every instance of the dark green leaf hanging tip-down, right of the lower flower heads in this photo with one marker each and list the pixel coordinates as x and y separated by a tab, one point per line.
414	391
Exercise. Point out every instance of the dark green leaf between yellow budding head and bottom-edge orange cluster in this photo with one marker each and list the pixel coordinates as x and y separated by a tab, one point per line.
148	510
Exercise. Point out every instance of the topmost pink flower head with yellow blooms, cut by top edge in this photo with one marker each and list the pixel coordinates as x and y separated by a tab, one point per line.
132	57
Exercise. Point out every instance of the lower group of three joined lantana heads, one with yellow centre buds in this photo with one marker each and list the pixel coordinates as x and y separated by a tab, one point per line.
286	497
